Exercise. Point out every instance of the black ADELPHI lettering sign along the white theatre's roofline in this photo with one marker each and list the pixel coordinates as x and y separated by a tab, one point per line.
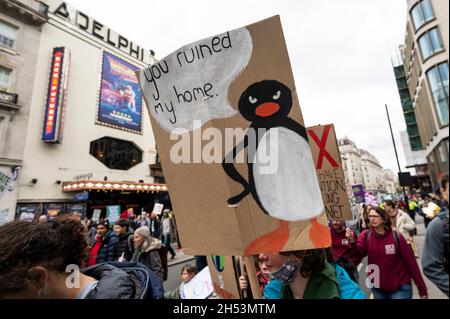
98	30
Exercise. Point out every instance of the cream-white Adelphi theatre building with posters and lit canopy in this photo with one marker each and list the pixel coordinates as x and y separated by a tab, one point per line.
89	144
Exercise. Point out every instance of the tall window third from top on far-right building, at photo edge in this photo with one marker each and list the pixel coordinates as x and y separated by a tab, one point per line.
438	79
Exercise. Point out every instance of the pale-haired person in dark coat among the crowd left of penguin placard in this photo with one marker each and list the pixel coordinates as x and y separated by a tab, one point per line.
147	251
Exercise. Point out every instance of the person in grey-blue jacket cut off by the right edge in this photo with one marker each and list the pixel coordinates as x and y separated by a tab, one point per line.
435	260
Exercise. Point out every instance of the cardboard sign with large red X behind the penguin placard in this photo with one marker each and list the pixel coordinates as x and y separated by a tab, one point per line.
324	147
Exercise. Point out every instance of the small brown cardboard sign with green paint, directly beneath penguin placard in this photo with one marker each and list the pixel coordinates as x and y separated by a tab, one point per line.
224	276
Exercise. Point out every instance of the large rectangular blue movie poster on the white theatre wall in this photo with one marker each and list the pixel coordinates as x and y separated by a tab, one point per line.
120	102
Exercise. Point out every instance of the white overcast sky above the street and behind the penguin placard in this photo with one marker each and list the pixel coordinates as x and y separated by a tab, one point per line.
340	52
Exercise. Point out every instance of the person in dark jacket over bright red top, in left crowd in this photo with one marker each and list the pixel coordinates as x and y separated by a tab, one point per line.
105	245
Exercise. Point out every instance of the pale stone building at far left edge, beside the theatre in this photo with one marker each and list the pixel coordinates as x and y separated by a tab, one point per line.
21	22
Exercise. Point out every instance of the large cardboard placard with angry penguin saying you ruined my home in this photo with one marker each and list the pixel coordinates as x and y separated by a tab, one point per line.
233	145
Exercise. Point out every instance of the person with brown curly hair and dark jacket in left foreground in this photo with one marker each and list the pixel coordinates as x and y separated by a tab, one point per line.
41	261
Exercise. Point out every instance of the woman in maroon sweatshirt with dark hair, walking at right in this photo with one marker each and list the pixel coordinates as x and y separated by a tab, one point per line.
390	257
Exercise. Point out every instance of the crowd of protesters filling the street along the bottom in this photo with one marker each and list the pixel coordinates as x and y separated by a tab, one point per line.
129	259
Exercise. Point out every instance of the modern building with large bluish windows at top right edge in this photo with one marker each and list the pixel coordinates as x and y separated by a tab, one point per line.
425	62
